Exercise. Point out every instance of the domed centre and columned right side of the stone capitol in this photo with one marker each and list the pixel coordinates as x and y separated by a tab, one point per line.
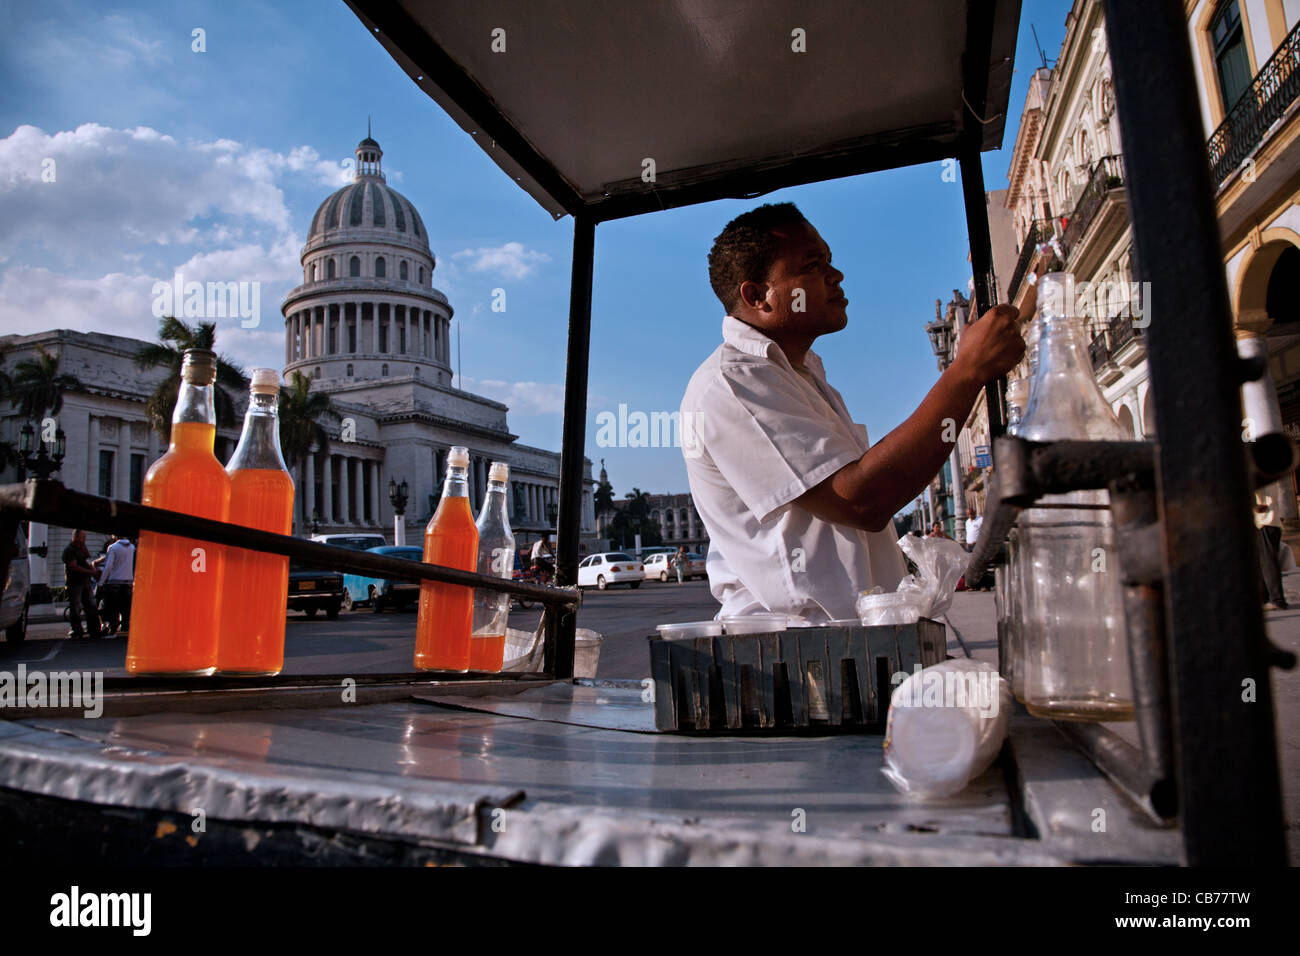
371	331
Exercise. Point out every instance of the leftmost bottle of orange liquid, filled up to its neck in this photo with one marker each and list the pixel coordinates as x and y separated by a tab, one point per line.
176	613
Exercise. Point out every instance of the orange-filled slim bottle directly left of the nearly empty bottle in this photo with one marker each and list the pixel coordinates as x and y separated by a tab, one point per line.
452	540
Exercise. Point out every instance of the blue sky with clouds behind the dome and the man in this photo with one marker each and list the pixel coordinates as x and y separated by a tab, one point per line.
214	163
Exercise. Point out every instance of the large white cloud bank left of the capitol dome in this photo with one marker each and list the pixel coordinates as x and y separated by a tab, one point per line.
129	209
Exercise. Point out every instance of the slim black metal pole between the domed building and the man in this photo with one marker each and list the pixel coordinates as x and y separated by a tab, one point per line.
561	637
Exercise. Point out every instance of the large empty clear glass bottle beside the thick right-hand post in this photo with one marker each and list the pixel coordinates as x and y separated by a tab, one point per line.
1076	646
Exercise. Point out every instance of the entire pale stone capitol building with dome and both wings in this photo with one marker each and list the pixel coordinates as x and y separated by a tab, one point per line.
374	334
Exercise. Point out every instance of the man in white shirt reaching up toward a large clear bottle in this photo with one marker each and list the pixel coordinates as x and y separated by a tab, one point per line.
798	503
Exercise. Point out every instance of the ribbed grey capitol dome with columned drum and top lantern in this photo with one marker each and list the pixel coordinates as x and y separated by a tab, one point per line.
367	308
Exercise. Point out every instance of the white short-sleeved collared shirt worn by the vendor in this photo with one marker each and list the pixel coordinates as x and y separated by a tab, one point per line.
757	435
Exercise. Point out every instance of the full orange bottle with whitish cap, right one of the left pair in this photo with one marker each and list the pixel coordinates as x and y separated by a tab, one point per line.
262	496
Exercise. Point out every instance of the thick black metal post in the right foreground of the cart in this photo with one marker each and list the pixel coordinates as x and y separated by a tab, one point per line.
1224	721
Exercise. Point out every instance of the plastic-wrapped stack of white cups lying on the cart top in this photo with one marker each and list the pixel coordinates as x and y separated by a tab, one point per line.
946	726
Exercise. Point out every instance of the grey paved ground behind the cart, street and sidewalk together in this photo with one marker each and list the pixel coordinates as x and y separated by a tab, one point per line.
365	643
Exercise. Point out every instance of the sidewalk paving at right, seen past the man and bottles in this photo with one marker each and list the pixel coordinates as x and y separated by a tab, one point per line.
973	617
